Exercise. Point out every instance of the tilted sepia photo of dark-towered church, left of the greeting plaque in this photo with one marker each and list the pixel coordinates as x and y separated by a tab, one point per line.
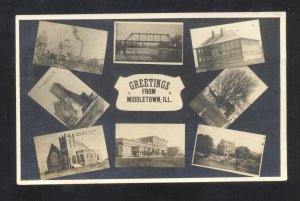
68	99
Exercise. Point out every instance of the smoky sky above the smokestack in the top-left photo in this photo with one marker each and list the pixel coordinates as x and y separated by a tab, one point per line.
94	45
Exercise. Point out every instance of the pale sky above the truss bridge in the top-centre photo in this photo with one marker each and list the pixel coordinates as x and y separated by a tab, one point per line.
124	29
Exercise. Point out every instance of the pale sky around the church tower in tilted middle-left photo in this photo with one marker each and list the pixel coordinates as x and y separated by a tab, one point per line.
41	91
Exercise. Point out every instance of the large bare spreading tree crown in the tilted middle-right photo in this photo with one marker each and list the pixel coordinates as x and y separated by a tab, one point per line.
234	86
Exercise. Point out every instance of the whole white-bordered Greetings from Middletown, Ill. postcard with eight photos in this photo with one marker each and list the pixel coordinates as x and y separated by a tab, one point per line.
151	79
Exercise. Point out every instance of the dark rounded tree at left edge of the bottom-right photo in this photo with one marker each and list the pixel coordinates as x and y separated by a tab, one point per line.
204	144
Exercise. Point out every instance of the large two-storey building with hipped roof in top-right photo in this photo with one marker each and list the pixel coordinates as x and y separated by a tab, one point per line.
228	49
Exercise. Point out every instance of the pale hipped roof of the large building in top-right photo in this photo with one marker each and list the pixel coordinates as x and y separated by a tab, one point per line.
227	36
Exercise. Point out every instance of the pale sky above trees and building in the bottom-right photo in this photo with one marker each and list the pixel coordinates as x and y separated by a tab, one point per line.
251	140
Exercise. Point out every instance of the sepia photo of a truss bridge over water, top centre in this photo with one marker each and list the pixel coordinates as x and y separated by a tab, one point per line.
148	42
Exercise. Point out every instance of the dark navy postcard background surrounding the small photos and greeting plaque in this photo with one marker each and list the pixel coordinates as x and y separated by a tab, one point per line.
261	117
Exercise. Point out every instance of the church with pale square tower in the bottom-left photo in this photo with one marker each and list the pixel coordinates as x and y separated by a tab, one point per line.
71	154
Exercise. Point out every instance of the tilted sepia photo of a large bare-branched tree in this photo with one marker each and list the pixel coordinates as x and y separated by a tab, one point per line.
228	96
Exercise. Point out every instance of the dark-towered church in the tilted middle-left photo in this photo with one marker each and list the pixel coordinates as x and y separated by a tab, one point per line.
70	106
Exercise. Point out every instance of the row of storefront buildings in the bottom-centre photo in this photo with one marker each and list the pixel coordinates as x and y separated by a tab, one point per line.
141	147
